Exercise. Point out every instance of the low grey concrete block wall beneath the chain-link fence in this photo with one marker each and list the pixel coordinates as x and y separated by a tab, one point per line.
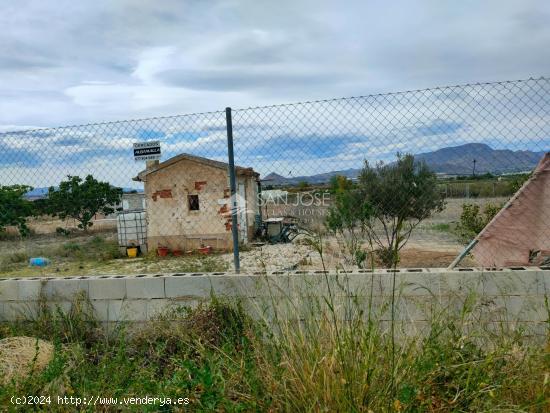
508	295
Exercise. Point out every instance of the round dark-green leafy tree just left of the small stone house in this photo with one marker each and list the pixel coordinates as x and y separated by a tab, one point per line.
82	199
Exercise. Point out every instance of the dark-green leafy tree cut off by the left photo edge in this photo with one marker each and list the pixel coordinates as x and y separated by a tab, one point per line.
14	209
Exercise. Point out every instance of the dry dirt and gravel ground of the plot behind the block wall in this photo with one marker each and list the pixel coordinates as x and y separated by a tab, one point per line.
79	254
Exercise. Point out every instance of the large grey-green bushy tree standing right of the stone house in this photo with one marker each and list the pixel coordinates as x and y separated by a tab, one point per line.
389	202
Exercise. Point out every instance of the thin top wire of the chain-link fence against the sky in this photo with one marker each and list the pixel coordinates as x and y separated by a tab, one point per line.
282	105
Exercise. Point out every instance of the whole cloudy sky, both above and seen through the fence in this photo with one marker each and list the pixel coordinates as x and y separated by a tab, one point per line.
80	62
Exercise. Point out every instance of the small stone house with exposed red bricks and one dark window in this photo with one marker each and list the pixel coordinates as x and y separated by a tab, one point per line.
187	201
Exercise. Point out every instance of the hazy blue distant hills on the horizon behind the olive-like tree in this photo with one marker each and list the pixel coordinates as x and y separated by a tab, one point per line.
456	160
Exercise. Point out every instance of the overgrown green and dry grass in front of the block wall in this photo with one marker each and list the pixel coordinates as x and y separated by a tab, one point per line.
223	360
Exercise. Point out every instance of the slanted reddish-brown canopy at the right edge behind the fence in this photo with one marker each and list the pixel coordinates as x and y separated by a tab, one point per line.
520	233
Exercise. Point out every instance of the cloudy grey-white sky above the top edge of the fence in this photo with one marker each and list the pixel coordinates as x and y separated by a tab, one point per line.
71	62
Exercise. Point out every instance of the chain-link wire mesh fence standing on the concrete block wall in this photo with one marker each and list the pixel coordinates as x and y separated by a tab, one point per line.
407	179
